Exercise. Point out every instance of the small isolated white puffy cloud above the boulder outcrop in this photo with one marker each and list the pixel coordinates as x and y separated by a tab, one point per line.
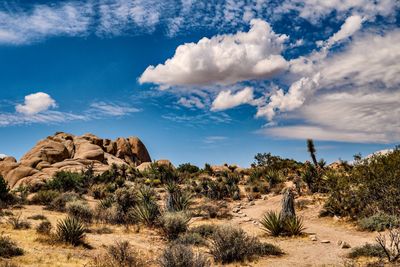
35	103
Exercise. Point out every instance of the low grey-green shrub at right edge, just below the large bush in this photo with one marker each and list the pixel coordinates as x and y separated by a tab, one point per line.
379	222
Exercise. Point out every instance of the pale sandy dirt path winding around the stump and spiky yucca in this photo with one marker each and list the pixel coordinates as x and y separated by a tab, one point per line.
302	251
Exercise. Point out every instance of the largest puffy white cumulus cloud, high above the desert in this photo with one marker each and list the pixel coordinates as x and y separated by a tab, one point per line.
223	59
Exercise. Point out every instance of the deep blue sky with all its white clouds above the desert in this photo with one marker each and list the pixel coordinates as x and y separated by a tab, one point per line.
203	81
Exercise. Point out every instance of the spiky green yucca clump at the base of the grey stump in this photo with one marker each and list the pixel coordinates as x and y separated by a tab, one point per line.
274	224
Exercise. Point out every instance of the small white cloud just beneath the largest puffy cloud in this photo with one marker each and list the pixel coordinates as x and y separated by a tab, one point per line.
227	99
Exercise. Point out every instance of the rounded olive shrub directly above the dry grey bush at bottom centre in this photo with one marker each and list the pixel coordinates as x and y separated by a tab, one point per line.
173	224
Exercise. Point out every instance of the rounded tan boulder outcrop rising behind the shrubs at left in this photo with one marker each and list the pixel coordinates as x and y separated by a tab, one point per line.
66	152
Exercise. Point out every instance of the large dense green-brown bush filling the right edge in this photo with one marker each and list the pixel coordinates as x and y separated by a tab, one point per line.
371	186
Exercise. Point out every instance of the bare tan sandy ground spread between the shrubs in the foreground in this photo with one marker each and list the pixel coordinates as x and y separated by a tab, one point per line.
299	251
